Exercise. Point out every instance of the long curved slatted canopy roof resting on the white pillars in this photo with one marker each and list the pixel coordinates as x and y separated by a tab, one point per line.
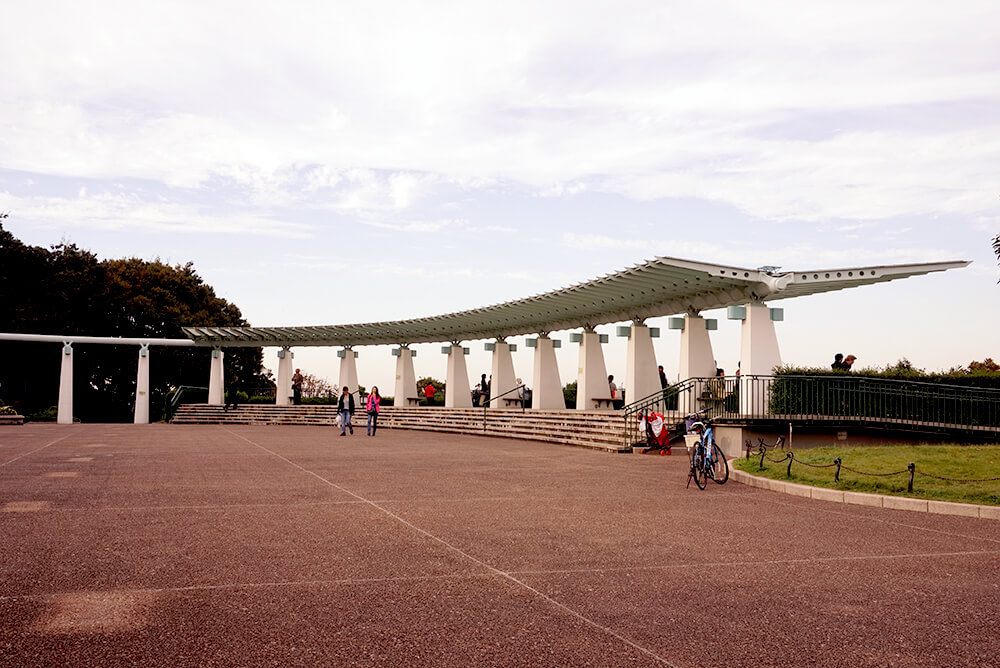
660	287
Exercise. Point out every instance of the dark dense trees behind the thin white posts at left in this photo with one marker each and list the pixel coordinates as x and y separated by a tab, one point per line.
66	290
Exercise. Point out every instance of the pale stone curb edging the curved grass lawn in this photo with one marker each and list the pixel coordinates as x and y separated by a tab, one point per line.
864	499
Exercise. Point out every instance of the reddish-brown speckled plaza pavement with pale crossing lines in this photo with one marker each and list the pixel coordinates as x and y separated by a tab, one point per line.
169	545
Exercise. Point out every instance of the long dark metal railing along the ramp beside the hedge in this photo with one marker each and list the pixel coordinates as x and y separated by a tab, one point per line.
828	400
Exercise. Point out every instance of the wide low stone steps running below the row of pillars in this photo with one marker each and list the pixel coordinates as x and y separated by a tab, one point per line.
602	430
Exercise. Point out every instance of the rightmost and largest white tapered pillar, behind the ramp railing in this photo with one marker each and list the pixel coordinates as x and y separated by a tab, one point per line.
759	352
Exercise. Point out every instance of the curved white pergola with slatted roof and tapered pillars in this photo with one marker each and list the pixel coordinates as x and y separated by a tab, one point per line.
661	287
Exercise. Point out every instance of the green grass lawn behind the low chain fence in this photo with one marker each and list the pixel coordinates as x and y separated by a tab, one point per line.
949	461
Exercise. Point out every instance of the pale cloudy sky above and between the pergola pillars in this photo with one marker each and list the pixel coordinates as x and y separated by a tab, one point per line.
332	162
